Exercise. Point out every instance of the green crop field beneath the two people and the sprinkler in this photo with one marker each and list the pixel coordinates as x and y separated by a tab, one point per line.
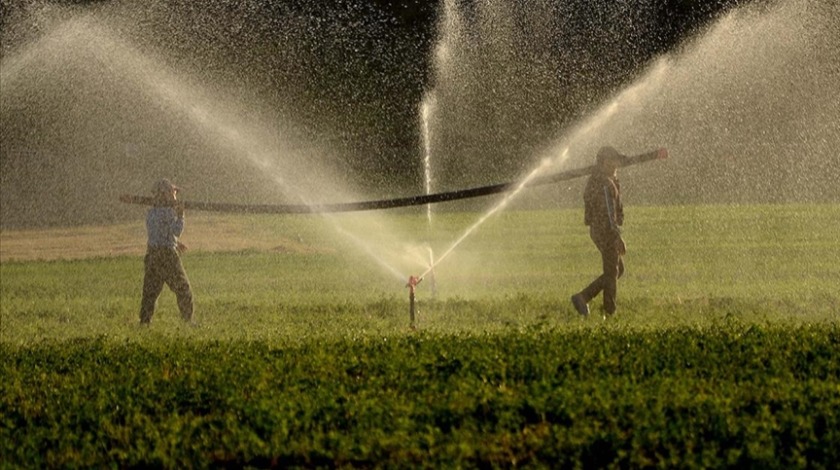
725	349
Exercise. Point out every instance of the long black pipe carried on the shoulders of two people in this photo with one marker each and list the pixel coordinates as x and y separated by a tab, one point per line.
392	203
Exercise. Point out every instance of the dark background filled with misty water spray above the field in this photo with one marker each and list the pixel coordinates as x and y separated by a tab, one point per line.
292	102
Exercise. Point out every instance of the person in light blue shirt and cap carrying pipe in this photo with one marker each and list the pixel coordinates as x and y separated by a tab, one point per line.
164	225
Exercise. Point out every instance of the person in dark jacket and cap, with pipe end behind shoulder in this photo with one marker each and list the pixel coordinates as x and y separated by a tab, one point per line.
604	214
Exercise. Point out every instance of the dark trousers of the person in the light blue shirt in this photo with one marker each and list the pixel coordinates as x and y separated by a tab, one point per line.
163	266
